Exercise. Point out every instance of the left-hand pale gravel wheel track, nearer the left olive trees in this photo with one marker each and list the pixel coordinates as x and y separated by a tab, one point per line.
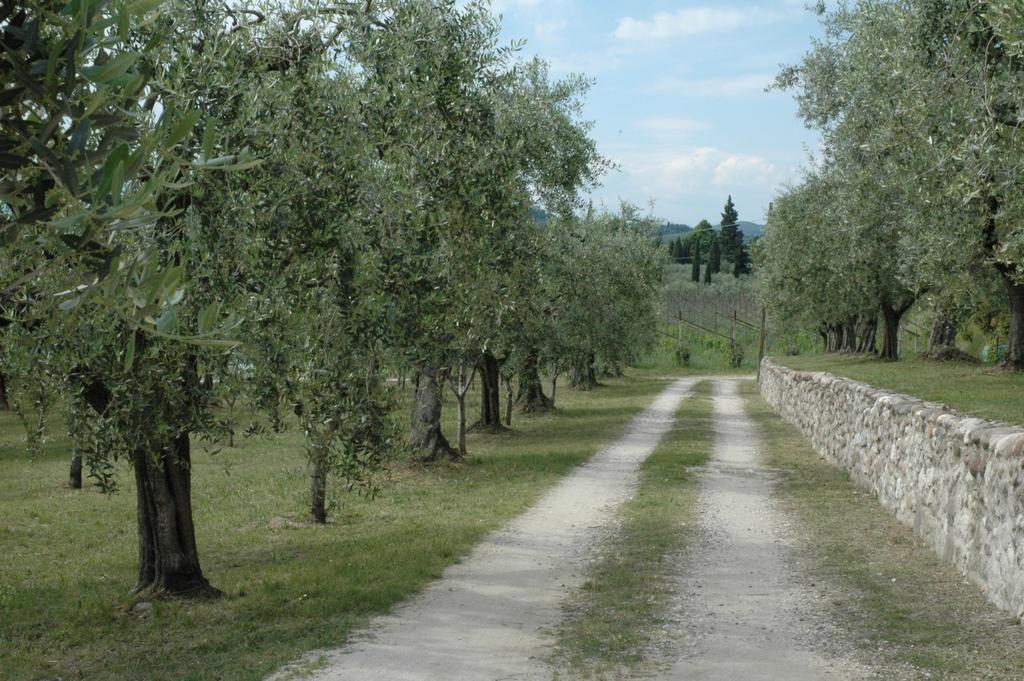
486	619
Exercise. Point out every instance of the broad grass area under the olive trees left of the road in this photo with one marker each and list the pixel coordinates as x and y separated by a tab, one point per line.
68	559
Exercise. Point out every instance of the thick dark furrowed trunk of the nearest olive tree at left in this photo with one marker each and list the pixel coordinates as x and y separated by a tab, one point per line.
168	561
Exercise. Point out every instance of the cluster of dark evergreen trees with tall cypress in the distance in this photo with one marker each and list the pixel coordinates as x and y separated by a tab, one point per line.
706	249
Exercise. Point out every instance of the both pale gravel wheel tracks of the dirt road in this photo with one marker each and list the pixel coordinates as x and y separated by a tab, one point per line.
744	609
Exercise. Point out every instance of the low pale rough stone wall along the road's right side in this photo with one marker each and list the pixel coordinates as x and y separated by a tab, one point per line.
956	480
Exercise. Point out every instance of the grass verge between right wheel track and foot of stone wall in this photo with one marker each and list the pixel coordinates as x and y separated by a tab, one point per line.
903	606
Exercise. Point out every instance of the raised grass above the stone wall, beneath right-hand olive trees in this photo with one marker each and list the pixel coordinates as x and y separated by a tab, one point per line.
973	390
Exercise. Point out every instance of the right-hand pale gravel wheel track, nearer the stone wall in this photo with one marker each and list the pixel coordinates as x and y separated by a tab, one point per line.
746	611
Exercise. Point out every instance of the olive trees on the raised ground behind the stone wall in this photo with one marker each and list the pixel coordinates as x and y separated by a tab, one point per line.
917	196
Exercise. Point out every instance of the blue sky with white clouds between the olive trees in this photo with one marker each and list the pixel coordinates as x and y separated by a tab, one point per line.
678	100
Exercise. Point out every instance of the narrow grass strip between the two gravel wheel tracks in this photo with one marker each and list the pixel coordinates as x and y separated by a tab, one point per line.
614	623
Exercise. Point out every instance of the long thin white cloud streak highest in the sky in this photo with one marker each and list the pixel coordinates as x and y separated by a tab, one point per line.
690	22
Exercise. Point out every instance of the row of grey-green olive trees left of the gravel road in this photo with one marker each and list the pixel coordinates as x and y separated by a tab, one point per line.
291	205
